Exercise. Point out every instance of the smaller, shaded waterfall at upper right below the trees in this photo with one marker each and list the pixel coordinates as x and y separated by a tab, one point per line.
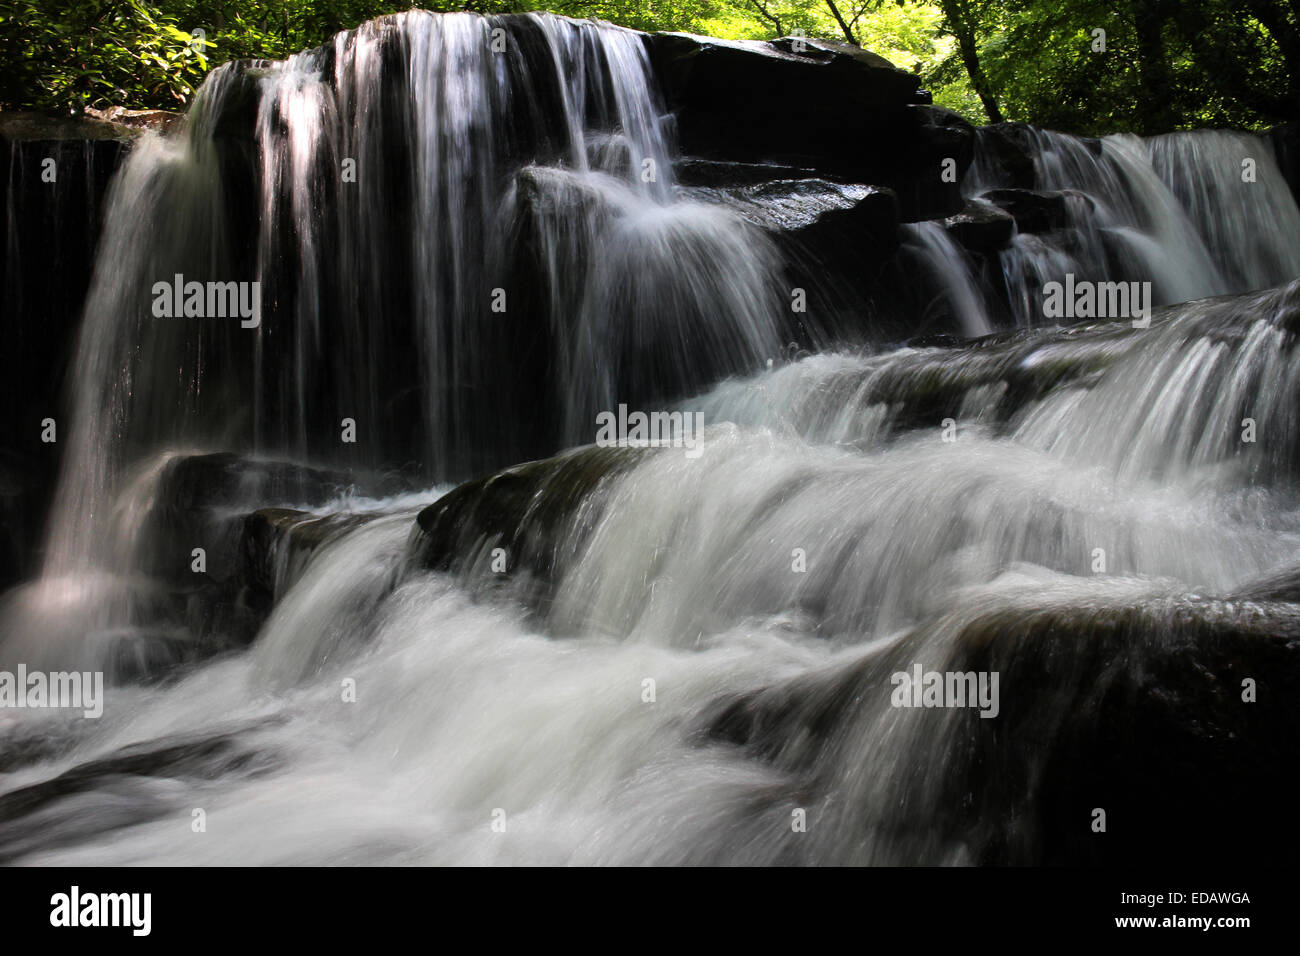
1177	211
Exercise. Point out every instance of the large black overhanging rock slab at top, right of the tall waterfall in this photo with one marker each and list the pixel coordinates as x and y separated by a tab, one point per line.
821	105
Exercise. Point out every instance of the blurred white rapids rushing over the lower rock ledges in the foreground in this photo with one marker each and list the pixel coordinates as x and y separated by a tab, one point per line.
465	708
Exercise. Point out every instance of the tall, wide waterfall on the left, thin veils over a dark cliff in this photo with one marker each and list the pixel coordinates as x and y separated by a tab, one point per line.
405	180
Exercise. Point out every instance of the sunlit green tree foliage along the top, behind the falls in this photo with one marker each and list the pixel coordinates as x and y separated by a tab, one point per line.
1168	64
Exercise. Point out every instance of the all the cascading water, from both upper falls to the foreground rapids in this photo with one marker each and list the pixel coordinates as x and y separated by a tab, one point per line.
643	655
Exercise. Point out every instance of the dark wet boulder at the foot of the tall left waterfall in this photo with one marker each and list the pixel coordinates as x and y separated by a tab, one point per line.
177	613
